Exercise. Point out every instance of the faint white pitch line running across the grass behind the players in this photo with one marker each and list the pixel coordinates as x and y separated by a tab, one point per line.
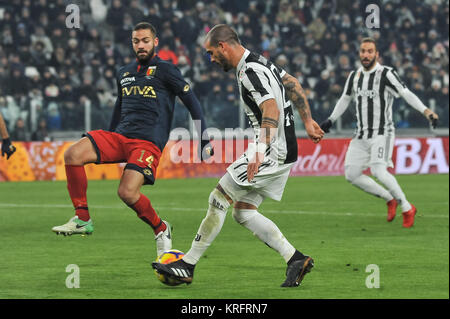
172	208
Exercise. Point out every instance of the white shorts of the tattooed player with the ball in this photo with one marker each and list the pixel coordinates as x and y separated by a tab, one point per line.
269	182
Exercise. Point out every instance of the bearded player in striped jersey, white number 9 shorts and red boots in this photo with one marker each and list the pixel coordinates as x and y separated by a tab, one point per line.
373	88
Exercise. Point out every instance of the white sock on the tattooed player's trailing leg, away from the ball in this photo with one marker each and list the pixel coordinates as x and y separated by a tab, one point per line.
265	230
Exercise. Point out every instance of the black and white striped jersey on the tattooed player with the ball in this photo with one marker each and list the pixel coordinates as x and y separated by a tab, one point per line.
260	80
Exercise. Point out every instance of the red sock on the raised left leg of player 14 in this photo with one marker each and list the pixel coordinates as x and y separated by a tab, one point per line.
77	186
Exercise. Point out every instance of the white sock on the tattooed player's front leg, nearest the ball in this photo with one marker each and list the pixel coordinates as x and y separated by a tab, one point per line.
209	228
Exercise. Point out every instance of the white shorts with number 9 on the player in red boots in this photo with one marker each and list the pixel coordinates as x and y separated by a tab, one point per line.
367	152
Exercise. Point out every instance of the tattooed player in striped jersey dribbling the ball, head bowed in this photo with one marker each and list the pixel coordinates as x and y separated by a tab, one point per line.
268	93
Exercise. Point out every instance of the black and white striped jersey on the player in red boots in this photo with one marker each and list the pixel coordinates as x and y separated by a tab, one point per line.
373	93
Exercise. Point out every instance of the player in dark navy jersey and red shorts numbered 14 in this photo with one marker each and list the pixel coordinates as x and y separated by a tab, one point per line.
138	132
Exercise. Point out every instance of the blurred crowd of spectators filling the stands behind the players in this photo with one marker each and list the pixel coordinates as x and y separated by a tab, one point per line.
57	71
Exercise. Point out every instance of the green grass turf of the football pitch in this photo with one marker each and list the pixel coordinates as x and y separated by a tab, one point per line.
341	227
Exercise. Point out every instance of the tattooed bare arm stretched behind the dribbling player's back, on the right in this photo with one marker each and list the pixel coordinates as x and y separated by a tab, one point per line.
297	96
